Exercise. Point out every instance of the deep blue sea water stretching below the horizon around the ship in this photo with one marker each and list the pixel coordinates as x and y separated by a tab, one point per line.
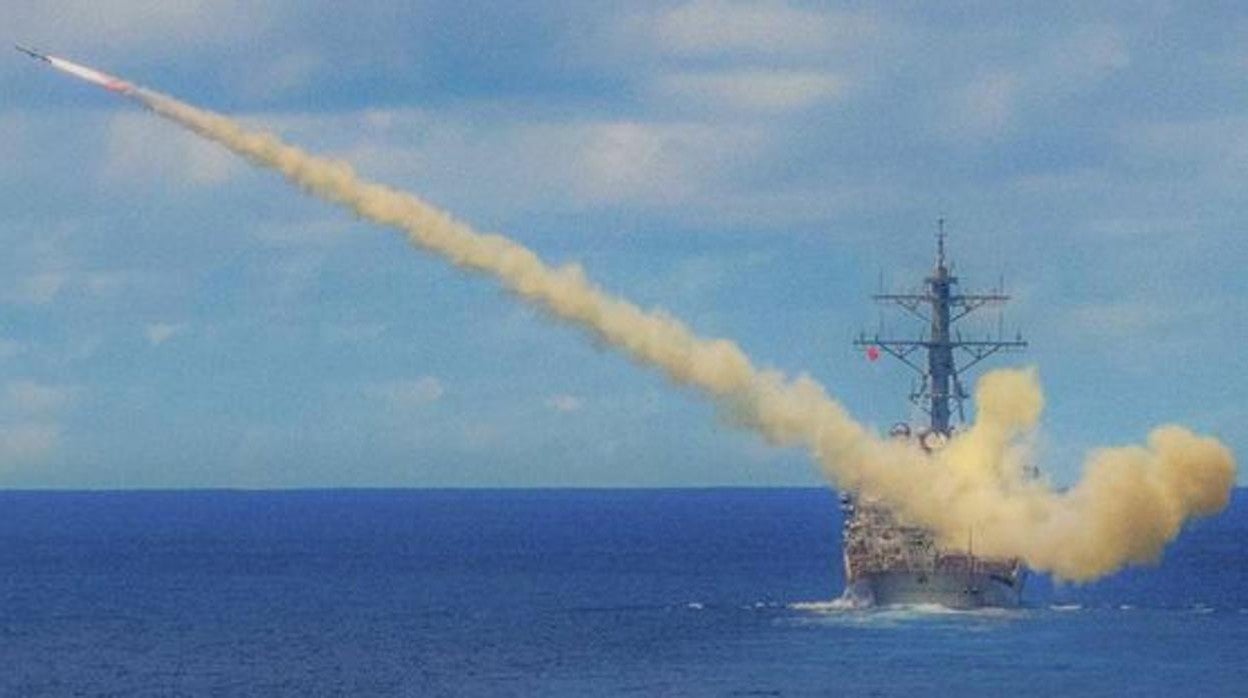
683	592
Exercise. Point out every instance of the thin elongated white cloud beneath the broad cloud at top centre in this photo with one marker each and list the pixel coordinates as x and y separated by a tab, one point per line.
756	89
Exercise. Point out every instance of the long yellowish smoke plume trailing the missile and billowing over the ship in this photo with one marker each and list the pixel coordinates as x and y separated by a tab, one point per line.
1129	505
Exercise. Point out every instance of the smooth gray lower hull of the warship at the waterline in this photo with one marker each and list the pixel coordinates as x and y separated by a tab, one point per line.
958	591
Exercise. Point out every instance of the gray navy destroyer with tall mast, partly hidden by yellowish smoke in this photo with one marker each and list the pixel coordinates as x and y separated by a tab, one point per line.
889	561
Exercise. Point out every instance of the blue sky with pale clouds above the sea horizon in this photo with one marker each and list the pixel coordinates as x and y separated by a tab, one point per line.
173	318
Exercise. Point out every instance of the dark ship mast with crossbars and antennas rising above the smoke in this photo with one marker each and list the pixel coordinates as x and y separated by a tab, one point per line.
940	307
